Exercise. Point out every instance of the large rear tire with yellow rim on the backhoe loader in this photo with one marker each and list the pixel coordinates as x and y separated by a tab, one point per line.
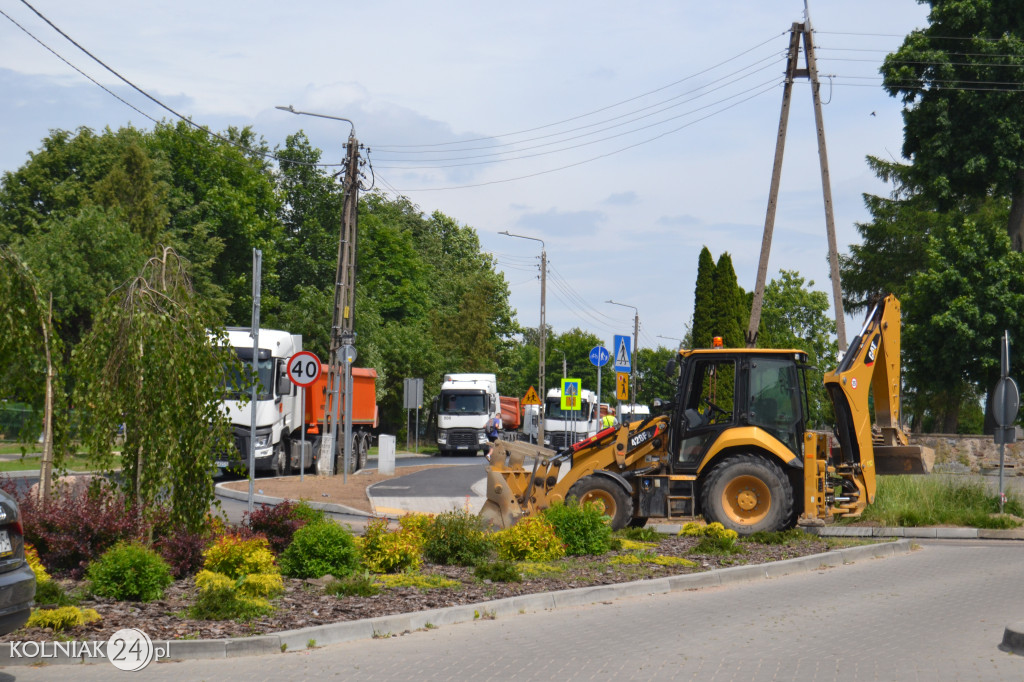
748	494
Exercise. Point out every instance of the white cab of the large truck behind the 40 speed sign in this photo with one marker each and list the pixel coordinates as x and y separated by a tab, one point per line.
279	413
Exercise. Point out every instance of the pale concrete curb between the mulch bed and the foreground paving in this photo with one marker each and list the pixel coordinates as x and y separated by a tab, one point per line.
388	626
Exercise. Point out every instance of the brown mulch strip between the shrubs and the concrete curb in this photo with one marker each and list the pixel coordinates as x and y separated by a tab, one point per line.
306	604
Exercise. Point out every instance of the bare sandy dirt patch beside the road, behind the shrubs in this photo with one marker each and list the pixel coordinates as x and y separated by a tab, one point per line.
331	490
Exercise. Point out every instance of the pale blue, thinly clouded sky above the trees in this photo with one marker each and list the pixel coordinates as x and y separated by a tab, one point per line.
627	138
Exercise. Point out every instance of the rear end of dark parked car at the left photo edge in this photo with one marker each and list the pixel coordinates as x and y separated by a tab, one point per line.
18	583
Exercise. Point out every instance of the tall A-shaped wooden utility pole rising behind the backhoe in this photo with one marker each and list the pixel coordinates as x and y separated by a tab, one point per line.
798	32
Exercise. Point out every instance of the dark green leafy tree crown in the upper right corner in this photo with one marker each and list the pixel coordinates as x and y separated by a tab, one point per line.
960	81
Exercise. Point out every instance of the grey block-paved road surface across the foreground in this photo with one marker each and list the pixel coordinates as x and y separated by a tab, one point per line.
937	614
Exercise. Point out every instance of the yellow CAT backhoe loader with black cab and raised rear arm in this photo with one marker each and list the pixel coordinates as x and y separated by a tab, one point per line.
733	446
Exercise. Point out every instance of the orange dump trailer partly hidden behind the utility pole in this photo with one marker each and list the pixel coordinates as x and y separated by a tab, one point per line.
365	416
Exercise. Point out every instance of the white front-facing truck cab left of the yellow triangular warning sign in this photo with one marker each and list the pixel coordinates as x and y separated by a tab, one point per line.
464	408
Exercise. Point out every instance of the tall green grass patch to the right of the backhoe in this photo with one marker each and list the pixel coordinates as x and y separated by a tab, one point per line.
920	501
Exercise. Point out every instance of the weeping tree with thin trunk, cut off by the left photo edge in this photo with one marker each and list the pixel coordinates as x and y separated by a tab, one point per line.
29	347
